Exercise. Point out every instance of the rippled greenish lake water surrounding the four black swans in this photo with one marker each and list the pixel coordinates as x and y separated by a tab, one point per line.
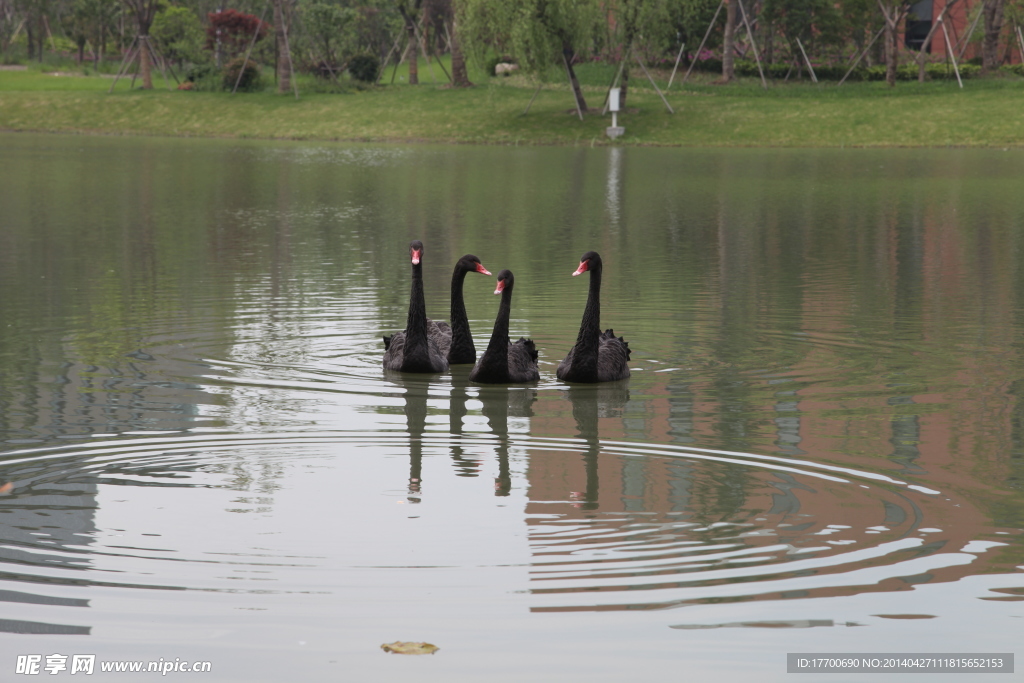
821	449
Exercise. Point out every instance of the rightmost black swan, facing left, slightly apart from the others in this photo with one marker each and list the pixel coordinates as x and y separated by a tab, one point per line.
598	357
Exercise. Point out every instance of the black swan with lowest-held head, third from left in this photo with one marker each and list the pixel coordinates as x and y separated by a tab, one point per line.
505	363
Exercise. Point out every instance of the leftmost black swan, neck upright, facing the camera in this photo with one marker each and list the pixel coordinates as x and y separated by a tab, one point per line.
418	349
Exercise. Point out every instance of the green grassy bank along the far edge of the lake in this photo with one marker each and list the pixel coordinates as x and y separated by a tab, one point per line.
986	113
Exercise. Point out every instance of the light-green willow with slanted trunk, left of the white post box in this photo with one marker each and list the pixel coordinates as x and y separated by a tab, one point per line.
538	33
